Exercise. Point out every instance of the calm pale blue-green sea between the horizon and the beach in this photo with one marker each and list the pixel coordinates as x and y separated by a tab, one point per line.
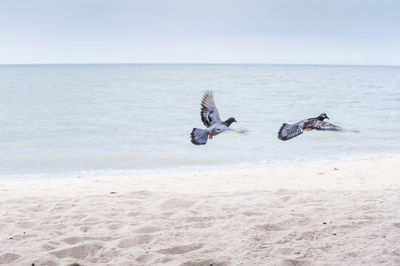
60	119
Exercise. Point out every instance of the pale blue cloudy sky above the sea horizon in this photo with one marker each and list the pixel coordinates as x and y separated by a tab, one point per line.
206	31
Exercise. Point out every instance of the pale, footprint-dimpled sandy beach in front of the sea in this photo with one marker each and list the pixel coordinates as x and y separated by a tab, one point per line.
324	213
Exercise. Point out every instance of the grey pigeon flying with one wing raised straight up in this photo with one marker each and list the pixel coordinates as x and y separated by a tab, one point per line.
210	117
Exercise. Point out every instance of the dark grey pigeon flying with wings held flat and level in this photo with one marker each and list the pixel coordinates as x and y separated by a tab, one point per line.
288	131
